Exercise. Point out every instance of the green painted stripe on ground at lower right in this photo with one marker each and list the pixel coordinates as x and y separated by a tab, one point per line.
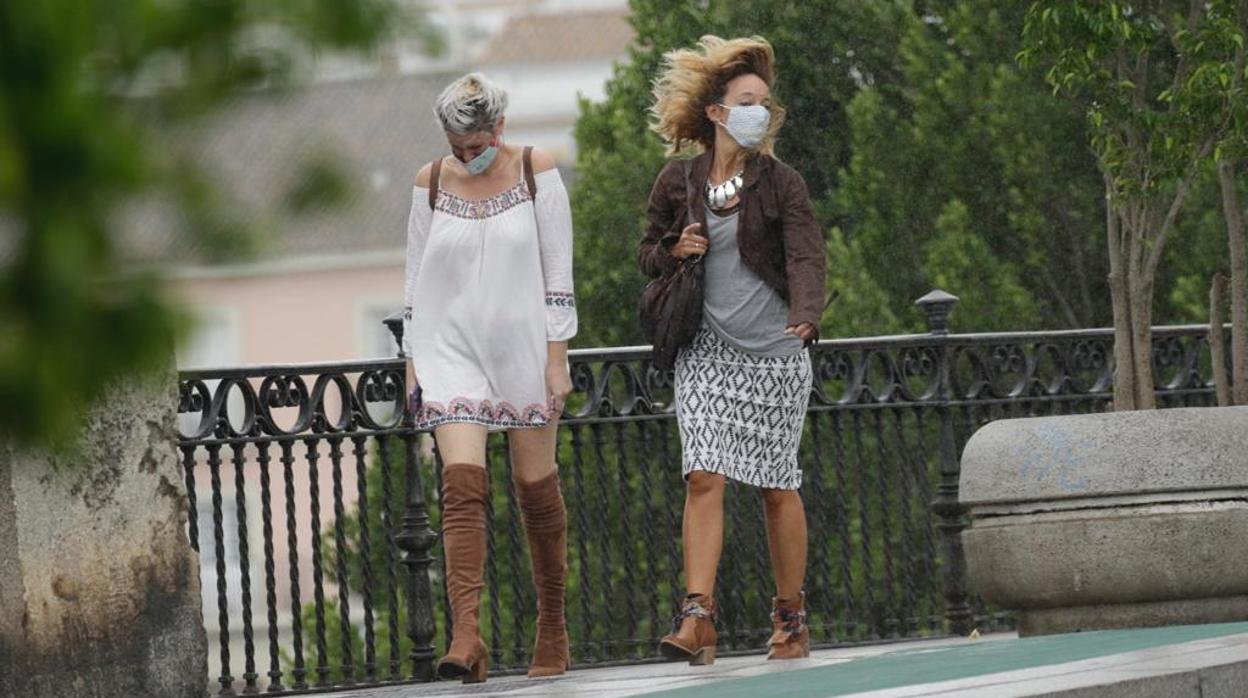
948	664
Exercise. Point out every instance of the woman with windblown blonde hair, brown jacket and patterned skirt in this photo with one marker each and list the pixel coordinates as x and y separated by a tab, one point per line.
744	383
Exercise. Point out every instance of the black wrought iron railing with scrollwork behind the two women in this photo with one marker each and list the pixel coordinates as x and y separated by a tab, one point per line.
316	503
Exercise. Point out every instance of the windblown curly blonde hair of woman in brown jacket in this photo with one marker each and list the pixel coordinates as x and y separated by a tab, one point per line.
695	79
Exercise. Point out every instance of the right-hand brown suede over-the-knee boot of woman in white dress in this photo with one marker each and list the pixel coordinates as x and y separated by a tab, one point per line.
546	524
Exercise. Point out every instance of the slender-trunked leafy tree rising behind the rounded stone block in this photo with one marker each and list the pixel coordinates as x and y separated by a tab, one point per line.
1161	87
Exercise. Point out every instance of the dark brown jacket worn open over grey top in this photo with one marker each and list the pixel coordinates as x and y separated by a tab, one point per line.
778	237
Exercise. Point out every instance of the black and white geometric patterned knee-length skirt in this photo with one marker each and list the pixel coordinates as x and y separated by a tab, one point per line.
742	415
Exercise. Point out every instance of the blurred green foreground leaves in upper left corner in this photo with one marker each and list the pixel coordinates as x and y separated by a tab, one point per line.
89	96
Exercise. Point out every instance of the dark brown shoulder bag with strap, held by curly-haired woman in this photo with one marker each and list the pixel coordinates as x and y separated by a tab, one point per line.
672	305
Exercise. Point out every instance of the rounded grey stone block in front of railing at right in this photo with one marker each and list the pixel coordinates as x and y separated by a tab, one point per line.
1111	521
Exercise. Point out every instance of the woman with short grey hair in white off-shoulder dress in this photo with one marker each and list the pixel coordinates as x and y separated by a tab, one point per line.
490	310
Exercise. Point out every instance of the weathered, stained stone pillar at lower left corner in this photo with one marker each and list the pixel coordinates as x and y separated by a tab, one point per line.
99	586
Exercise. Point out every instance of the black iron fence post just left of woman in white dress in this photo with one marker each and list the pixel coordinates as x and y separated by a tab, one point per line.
415	539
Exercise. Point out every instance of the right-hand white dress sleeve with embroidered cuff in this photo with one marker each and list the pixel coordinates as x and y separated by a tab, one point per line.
555	238
